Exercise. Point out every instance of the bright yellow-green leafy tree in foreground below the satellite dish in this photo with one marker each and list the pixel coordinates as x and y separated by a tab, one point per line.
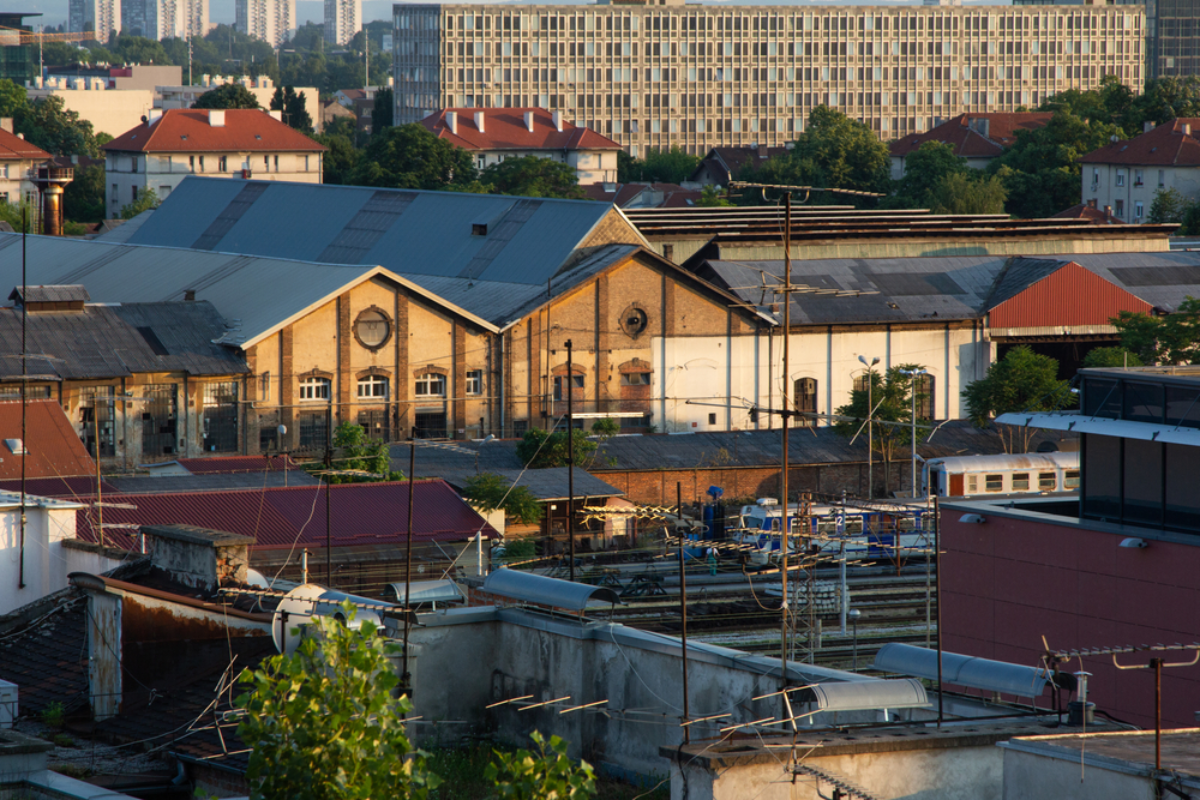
322	724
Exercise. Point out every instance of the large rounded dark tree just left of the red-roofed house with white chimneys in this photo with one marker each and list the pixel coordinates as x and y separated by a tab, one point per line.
409	157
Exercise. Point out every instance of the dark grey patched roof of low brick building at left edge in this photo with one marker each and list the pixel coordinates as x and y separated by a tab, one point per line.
118	341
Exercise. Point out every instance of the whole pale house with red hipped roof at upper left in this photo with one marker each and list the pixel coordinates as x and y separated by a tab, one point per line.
219	143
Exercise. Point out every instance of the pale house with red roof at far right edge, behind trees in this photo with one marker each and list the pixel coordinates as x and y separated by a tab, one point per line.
1126	176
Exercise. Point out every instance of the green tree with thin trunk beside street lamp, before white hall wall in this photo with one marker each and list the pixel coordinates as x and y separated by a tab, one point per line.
891	392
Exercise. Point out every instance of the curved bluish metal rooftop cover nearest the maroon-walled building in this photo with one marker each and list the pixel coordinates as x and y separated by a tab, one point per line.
963	671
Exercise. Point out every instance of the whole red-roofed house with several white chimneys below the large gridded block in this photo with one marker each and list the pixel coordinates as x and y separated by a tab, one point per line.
494	135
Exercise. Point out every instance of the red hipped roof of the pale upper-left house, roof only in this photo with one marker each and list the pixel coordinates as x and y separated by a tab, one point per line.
188	130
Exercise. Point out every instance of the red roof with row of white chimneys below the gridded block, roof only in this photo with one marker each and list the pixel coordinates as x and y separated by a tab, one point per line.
506	129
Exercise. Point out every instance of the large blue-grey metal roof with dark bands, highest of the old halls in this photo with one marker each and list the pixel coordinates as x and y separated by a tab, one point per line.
411	232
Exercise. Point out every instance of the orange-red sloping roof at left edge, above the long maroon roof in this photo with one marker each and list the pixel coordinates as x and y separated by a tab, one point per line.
53	444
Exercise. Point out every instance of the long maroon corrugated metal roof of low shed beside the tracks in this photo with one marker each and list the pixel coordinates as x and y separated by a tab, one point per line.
362	514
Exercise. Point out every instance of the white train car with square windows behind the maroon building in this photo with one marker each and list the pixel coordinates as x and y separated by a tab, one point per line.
973	477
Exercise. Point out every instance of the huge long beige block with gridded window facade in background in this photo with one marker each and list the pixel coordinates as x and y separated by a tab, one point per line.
703	76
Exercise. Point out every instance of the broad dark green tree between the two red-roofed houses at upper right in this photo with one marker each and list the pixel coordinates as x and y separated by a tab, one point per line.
1041	172
